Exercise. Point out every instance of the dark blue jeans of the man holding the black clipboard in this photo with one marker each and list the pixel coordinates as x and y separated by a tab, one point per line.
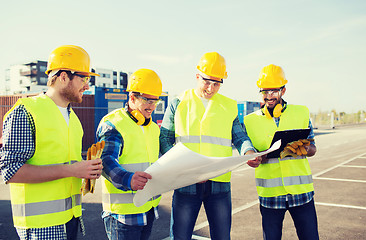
304	218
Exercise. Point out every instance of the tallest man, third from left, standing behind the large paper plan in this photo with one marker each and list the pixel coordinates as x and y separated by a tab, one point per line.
207	123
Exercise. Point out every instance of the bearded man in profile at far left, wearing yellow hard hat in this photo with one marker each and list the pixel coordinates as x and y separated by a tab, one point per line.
41	153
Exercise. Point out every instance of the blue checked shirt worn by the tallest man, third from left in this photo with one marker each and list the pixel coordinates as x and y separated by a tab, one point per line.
167	140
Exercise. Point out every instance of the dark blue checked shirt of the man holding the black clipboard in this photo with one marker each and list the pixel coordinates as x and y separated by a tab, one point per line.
279	202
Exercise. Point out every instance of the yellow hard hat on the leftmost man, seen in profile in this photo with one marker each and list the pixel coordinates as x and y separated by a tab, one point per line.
70	57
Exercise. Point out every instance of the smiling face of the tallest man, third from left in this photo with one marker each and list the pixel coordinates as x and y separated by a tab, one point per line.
207	86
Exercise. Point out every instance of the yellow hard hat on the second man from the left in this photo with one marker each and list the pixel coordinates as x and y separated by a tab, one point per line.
145	81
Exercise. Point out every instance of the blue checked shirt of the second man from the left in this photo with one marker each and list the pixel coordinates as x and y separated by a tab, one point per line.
115	173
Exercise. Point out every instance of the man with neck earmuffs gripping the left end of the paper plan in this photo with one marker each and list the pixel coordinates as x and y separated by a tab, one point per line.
131	145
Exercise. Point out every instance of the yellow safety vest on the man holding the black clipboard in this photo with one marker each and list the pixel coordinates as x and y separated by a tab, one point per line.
277	176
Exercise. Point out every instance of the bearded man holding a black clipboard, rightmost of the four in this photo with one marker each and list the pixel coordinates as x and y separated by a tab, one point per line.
284	183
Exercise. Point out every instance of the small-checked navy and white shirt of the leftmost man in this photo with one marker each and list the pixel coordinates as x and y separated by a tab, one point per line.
18	147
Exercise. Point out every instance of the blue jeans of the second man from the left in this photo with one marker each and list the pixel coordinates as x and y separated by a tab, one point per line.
118	231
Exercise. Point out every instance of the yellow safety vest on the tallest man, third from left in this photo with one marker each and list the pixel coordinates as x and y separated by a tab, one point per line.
206	131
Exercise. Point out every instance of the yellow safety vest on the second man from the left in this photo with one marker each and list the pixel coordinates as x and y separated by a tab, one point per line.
140	150
